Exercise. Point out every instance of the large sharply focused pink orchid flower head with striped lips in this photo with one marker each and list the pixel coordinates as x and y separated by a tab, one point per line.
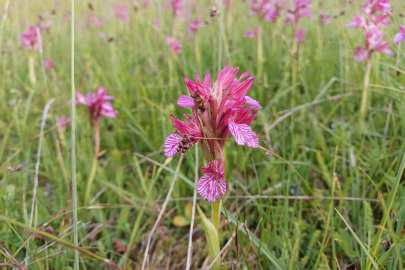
217	111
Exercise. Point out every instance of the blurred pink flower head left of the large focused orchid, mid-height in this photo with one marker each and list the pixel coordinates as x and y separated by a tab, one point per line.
97	106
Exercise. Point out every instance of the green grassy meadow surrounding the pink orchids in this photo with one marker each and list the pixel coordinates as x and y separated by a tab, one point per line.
328	193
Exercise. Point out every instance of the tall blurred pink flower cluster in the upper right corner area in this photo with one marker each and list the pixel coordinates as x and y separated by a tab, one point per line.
375	16
